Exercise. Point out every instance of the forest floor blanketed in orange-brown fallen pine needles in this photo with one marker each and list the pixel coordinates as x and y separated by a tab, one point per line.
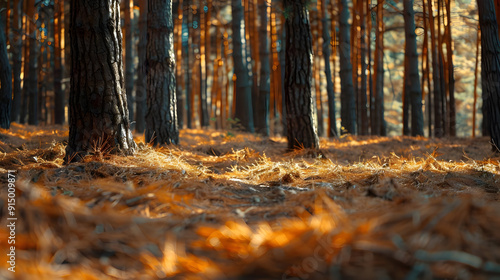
236	206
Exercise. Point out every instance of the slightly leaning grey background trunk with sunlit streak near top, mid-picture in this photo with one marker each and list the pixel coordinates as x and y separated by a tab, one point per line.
242	85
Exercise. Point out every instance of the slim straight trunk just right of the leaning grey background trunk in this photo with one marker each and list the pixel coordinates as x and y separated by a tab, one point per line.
263	99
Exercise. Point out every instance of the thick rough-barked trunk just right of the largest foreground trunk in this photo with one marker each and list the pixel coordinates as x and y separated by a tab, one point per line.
161	117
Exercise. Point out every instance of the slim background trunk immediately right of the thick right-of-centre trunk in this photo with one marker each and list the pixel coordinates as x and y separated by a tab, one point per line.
327	21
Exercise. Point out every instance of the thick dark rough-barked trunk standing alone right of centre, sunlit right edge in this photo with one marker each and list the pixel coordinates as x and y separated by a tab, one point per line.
299	98
